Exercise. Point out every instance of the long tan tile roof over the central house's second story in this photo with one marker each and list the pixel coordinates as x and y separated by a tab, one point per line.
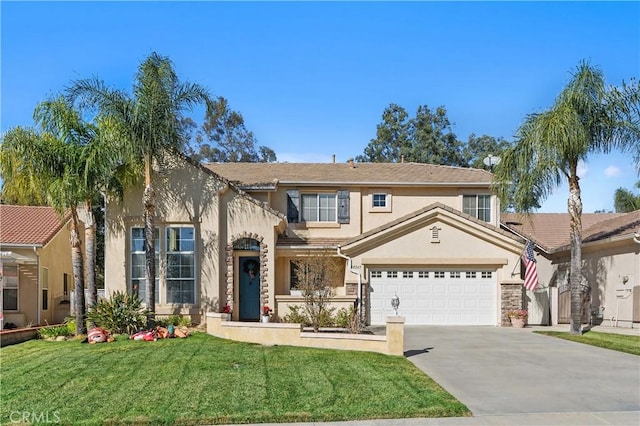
248	174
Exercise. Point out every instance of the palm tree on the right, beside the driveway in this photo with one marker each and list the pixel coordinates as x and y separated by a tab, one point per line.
586	117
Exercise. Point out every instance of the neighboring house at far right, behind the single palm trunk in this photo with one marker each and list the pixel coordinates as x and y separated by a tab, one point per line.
611	266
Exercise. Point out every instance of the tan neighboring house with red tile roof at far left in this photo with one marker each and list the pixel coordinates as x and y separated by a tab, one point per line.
35	259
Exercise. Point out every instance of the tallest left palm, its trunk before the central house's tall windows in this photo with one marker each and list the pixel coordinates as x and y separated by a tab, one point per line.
151	119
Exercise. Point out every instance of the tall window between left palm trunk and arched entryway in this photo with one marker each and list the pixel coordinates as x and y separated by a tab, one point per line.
180	267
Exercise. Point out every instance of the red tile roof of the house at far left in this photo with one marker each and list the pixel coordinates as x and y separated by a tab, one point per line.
28	224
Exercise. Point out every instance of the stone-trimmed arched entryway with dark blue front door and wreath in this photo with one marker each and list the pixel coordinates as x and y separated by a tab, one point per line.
247	289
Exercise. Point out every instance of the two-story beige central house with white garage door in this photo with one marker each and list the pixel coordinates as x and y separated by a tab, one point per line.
227	234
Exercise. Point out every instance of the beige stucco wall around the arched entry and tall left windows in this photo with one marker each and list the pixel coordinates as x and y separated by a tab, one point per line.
187	195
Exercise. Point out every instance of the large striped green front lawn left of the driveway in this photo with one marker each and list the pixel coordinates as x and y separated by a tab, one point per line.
205	380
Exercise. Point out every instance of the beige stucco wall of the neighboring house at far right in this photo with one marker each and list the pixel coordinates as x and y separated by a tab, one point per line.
605	264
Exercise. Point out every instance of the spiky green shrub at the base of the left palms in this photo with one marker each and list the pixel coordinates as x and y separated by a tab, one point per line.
121	313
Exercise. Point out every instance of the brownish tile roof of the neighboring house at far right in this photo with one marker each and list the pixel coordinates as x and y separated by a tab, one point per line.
551	230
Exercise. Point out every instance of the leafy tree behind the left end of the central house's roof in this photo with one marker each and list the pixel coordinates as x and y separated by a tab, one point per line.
229	140
